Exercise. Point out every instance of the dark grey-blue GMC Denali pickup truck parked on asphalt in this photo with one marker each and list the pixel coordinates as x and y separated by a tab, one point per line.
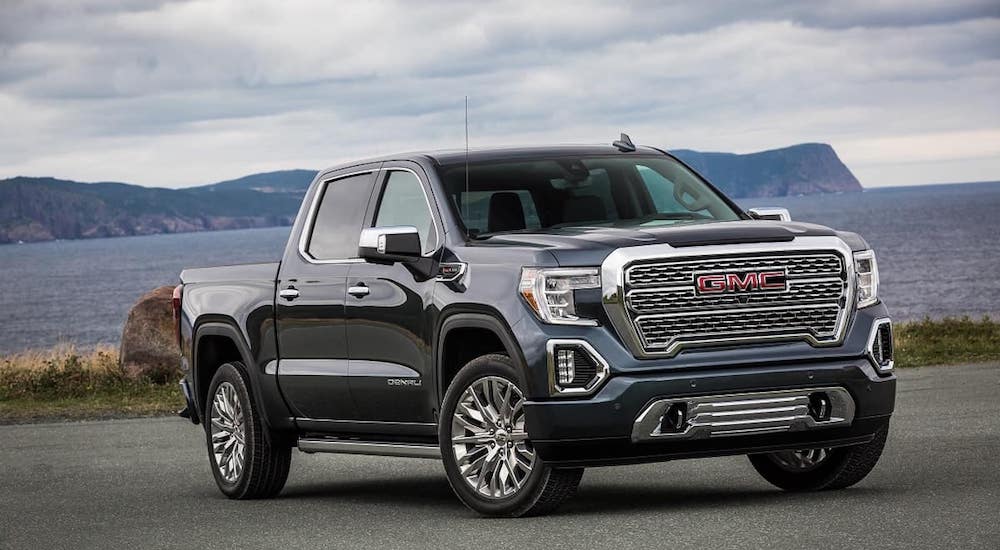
521	314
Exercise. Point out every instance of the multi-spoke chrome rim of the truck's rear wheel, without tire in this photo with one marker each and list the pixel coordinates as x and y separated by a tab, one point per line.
228	432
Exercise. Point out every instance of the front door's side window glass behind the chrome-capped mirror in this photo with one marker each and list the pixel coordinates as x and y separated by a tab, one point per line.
403	203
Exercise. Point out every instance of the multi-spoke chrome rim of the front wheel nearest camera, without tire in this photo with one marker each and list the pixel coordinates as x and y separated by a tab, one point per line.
488	438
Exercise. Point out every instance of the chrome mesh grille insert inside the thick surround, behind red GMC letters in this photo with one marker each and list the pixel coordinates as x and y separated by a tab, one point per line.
665	309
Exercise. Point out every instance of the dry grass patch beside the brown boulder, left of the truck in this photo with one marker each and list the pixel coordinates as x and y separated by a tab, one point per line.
64	383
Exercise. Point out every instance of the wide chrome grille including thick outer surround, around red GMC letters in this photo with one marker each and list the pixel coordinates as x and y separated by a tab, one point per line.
650	297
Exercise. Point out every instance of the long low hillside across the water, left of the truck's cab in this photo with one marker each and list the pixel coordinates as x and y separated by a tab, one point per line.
41	209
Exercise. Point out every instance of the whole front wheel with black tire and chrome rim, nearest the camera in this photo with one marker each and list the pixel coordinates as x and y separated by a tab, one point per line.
541	488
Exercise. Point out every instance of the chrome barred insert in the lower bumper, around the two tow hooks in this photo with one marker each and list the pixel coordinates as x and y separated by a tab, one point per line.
746	414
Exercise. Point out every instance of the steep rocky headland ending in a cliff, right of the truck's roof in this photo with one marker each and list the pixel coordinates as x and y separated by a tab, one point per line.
804	169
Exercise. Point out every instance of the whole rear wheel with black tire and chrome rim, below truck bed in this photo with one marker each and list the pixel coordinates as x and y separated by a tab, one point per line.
261	469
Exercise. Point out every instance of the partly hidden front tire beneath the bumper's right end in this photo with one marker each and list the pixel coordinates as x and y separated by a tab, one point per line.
836	469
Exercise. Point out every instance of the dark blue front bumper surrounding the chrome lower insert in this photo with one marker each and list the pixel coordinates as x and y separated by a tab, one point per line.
599	430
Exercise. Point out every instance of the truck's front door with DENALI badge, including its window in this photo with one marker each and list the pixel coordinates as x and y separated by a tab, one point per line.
389	323
